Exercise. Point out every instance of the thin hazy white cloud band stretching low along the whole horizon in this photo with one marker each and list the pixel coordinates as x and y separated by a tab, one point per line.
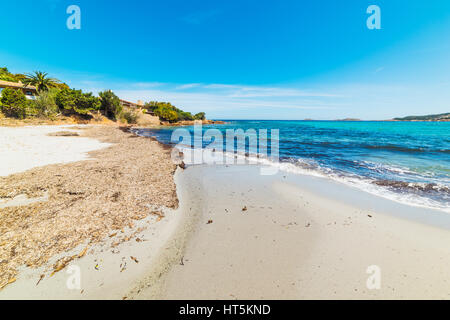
228	101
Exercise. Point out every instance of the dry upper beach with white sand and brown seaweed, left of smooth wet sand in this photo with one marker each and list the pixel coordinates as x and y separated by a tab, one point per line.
53	215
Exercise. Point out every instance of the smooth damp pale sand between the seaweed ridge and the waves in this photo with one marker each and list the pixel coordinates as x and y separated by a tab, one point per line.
303	238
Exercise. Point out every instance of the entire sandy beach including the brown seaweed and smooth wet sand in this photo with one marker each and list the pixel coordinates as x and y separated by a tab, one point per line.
207	232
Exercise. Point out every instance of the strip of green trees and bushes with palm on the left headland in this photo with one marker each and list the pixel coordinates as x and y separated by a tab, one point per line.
52	98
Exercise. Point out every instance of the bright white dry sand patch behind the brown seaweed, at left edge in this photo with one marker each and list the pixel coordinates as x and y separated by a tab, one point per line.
23	148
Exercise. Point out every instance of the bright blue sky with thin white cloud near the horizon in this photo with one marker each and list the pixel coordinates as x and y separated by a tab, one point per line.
243	59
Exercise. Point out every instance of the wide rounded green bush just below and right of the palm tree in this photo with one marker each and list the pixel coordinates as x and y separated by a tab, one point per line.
71	101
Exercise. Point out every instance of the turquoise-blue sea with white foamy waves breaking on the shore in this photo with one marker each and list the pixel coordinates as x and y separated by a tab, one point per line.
405	161
